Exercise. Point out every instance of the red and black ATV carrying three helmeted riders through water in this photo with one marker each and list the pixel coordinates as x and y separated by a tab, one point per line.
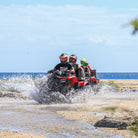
59	81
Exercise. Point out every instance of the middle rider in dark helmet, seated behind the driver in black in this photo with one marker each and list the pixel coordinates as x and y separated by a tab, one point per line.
78	69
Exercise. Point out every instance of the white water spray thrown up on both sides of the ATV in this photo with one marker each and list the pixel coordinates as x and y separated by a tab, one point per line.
37	88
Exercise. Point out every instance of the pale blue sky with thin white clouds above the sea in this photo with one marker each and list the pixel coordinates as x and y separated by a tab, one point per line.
34	33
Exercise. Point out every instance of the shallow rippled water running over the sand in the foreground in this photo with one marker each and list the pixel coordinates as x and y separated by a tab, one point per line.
40	119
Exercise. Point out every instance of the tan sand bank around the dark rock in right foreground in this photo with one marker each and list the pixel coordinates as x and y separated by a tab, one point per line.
125	110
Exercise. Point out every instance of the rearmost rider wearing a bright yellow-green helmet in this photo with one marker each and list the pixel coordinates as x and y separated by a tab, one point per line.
86	67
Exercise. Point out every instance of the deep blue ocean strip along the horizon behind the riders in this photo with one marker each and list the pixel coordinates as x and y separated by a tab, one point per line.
100	75
